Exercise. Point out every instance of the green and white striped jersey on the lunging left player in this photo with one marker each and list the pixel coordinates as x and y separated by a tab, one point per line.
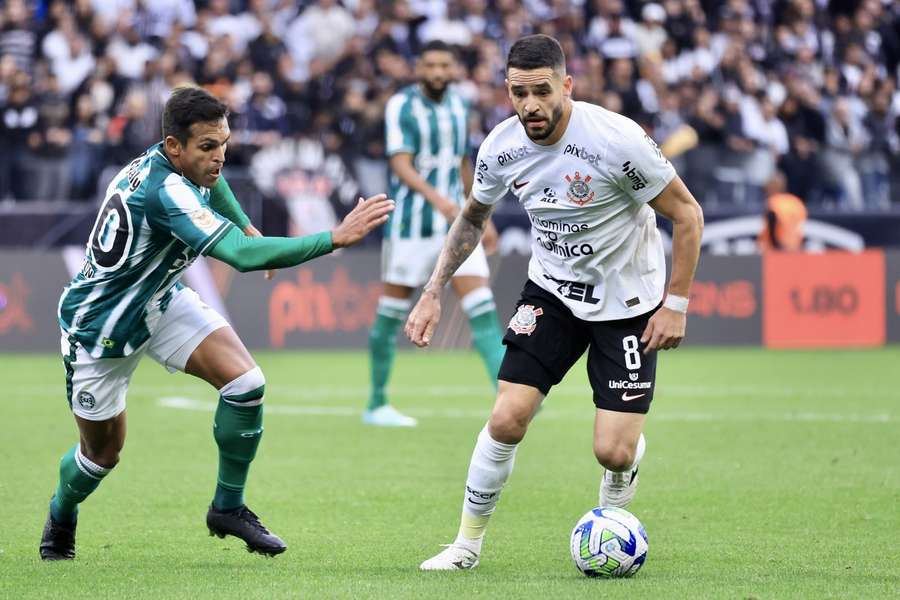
152	224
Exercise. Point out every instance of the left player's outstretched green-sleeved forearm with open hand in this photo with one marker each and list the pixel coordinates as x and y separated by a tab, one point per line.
257	253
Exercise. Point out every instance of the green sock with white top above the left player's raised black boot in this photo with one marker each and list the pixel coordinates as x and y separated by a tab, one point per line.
237	429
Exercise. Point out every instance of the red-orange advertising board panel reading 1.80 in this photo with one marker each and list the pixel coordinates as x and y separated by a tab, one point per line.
832	299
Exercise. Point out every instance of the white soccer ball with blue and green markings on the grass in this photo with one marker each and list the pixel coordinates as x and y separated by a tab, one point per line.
609	542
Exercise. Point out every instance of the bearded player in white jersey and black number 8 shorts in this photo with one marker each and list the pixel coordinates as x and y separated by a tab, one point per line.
596	279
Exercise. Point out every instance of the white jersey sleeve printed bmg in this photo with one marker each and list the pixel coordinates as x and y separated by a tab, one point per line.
637	165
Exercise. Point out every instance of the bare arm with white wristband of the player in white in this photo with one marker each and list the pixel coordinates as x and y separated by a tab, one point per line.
666	328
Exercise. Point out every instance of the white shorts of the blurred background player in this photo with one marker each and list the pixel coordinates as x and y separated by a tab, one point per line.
409	262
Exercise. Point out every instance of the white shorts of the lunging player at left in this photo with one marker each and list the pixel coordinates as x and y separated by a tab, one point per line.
97	386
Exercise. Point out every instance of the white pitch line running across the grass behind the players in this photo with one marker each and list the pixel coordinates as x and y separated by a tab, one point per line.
547	413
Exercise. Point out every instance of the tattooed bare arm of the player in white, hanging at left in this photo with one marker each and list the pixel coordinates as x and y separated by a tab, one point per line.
461	240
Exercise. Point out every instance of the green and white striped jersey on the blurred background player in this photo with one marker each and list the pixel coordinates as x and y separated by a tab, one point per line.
436	135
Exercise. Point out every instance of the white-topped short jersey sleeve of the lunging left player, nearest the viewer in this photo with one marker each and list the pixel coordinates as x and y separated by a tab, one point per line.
182	211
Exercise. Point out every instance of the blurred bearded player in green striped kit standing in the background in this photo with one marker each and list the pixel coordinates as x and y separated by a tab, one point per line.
427	145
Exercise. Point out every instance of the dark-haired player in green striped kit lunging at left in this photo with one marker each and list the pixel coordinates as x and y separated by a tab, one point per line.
168	206
